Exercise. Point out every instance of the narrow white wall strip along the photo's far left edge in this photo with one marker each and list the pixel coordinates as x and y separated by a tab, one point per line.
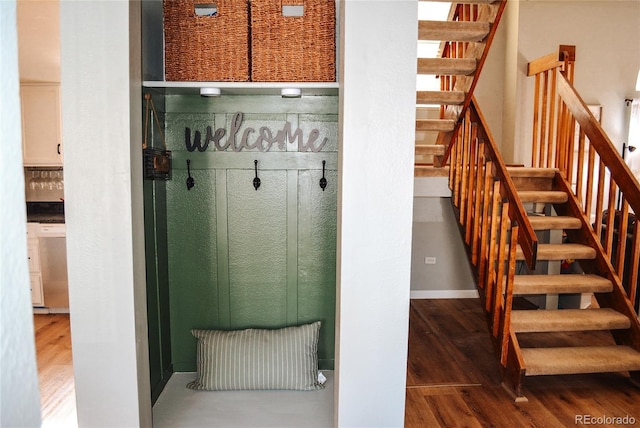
19	396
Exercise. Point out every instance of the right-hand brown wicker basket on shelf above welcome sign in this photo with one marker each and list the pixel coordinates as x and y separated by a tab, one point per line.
293	48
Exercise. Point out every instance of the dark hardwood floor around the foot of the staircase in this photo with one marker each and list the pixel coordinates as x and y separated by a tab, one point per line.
453	378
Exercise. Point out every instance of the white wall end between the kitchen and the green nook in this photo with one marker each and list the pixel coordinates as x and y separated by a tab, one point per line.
101	109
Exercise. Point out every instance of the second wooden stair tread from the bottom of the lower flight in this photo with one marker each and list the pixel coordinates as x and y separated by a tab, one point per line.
530	321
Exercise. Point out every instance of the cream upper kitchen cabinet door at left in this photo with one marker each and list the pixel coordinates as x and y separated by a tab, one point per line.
41	129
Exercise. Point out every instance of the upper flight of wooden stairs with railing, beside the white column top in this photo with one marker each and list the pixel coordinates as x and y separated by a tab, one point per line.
464	39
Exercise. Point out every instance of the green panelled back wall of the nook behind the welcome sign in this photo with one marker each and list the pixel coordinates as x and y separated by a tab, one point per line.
240	258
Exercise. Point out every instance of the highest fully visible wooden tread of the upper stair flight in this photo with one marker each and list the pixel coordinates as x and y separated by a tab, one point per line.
453	31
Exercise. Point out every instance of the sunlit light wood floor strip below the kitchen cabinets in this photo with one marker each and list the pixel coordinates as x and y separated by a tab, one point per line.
55	370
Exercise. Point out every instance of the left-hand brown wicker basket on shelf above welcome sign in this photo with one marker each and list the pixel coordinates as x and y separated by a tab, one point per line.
206	48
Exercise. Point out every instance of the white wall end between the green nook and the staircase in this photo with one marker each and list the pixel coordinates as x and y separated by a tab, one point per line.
377	120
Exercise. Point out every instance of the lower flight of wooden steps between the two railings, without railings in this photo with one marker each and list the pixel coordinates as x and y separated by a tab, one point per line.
546	186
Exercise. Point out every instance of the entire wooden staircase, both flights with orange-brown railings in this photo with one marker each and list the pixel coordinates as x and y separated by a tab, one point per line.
520	223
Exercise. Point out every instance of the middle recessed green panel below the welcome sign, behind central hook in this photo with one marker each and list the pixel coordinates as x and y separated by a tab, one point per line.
257	228
